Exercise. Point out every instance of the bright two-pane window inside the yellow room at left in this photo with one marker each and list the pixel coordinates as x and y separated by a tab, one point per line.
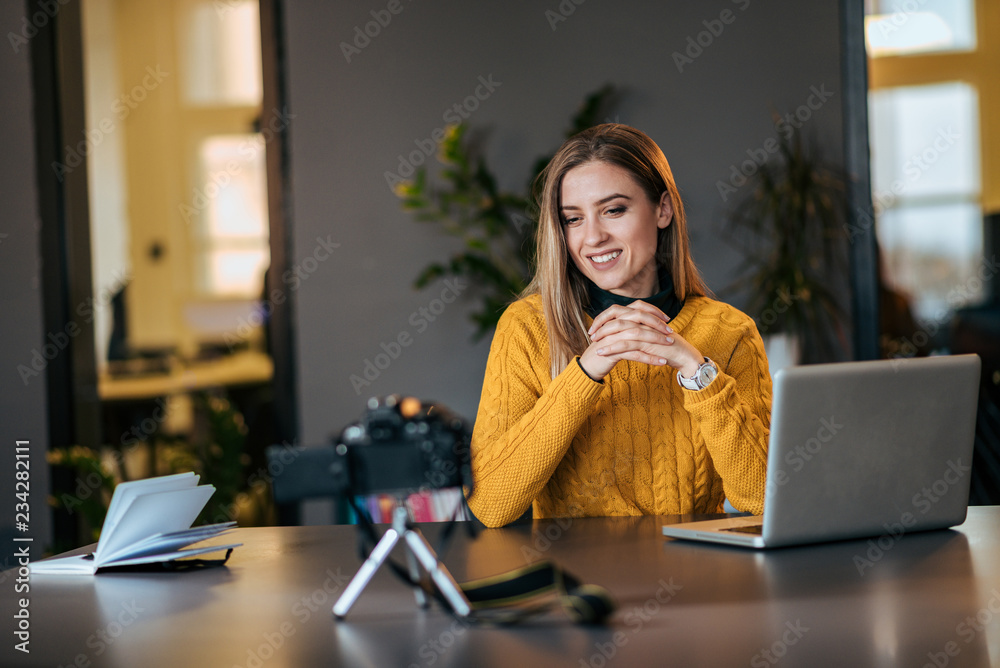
220	97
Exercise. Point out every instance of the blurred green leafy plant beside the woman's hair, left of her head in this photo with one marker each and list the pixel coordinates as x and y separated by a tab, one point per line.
497	227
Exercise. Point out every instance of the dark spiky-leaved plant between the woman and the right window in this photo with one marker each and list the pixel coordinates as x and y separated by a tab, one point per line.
791	229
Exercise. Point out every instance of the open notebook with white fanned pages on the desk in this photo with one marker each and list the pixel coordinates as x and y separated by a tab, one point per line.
148	521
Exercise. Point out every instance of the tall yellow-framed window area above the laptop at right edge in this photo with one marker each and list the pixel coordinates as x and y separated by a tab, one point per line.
933	102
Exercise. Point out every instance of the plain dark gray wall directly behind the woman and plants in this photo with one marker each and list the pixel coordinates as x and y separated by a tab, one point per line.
353	119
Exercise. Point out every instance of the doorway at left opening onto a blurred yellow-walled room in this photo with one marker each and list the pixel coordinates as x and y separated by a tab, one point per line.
179	140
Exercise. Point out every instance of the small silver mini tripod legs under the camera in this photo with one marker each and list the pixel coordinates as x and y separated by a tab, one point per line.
417	550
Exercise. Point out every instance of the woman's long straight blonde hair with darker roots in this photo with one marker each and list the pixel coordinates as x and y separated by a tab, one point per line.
562	287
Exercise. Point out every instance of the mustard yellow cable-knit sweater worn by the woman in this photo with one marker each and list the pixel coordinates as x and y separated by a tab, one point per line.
634	444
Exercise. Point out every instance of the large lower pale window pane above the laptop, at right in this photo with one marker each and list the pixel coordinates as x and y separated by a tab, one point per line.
926	191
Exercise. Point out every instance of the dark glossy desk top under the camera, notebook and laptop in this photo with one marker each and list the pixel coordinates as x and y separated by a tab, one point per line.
680	604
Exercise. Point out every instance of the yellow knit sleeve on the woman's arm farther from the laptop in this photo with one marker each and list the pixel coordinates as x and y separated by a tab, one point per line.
523	428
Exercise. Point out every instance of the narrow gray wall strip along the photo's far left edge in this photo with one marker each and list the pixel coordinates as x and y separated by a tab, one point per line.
22	407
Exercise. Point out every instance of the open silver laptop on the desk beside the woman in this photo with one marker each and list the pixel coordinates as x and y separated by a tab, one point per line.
861	449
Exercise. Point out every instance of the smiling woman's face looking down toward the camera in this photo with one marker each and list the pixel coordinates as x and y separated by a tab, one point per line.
611	228
